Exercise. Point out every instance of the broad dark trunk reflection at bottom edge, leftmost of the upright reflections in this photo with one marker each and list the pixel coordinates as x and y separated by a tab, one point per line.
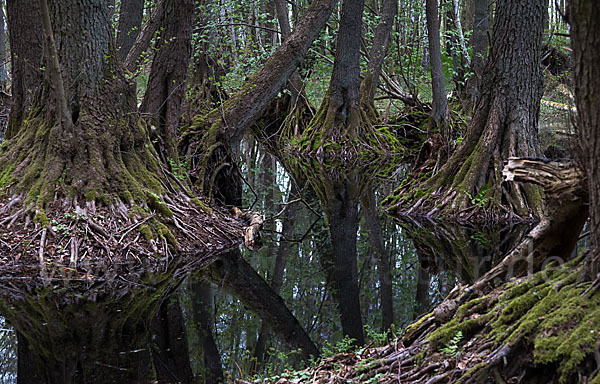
169	344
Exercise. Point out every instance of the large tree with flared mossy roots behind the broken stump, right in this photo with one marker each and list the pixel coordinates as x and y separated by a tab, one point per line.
505	123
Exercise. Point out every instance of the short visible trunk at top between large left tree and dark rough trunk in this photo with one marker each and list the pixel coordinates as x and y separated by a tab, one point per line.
131	14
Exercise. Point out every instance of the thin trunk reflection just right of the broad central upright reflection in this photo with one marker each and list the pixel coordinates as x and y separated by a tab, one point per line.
369	209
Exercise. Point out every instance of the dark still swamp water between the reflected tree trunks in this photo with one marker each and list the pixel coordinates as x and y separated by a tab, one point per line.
107	339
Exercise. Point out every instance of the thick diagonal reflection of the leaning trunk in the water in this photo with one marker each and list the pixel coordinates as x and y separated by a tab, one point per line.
239	278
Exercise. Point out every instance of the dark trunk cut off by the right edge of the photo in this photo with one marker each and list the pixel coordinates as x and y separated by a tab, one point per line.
585	37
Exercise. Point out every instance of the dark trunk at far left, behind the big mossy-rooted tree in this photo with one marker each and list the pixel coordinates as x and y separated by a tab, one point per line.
26	51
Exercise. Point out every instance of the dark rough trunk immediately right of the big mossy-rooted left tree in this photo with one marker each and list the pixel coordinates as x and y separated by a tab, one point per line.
166	89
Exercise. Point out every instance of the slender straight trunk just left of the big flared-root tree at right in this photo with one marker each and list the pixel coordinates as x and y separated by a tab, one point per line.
439	112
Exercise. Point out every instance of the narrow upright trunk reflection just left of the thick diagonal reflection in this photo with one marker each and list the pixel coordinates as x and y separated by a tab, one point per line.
202	316
